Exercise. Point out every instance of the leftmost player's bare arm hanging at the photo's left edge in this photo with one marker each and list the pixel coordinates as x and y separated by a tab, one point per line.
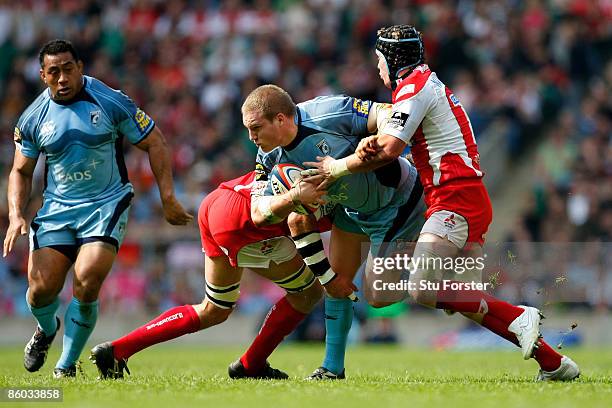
19	187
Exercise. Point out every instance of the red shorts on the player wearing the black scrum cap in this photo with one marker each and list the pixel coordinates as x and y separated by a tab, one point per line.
469	200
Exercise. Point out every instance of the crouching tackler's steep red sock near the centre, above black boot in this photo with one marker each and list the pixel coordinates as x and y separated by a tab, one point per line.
281	320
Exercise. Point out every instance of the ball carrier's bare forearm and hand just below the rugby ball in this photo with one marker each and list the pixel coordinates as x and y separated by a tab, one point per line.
266	210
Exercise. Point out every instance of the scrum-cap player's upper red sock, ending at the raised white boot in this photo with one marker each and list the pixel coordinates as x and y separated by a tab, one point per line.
477	301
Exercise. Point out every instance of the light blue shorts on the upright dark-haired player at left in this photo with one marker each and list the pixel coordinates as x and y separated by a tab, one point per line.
59	224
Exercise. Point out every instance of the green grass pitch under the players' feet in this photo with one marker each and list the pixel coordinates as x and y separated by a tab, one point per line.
170	376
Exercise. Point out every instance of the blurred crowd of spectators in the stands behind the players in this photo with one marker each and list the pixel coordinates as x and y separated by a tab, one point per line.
538	73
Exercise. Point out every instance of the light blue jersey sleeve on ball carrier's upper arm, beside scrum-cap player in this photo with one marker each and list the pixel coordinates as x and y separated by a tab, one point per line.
338	114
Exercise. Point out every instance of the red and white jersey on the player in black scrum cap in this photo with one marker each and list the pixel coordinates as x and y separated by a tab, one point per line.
429	117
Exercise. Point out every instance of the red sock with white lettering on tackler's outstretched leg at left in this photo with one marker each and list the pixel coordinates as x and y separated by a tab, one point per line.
169	325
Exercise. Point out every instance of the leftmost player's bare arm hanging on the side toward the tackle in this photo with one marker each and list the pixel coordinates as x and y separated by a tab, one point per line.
159	158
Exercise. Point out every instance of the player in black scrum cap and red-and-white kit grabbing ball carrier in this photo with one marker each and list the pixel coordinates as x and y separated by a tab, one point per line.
428	116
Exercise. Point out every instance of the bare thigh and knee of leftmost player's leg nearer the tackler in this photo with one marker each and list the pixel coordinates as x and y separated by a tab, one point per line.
94	262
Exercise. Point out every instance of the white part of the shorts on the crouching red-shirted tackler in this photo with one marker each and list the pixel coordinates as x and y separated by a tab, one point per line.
259	254
